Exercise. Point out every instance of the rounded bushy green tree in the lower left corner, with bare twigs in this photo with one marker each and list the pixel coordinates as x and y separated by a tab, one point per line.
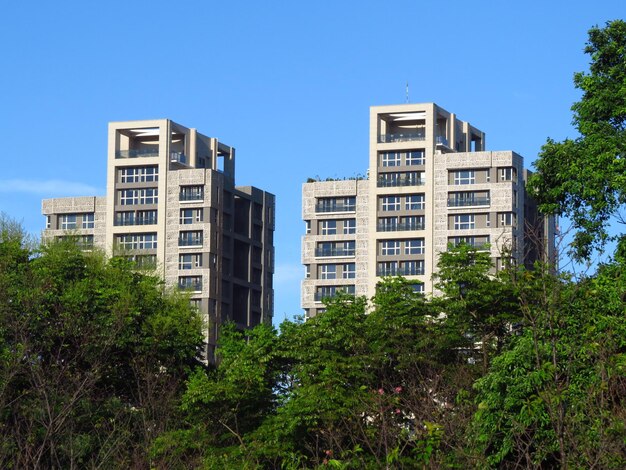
93	357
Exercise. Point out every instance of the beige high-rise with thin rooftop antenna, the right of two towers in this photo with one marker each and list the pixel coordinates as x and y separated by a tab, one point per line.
431	184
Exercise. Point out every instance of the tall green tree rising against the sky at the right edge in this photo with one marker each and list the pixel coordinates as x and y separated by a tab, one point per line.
585	178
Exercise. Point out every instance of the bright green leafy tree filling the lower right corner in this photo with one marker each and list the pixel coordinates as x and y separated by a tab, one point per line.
554	396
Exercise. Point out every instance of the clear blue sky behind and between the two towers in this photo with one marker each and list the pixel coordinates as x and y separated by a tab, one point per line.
287	83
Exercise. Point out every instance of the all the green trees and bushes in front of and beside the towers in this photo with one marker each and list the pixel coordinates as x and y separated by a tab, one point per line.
524	369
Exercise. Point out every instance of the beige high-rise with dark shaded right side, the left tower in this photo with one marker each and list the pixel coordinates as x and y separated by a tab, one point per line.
172	204
